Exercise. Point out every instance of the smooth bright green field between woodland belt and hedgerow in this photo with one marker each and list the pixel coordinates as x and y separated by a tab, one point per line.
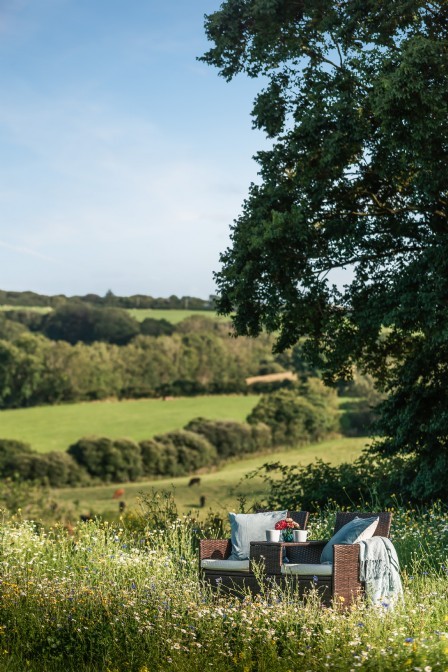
48	428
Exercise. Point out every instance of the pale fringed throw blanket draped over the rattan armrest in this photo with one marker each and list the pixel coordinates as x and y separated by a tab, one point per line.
380	571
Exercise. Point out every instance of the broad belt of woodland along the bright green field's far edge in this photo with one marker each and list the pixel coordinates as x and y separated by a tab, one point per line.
200	358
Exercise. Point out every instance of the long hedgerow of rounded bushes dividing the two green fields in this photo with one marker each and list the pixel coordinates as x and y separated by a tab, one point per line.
307	413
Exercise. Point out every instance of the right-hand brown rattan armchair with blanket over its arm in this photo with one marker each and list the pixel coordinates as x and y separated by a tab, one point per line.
339	581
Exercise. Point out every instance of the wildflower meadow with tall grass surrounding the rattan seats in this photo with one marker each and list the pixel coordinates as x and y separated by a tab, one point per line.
128	597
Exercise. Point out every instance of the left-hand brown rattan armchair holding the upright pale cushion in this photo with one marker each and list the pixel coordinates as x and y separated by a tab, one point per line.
235	576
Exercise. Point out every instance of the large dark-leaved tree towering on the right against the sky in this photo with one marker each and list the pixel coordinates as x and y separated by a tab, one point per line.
355	99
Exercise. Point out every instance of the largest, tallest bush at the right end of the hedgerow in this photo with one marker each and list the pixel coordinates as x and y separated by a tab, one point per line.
293	419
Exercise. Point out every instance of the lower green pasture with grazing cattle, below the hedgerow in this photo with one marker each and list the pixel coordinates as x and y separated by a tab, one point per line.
220	488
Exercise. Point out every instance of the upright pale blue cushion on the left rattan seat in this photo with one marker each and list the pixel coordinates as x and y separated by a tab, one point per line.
247	527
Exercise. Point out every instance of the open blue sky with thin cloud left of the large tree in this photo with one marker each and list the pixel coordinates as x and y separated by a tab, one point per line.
123	160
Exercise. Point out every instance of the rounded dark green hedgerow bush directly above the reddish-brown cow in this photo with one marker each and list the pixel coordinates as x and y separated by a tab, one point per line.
107	459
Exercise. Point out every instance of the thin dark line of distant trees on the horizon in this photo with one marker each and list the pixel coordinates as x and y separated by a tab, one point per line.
32	299
